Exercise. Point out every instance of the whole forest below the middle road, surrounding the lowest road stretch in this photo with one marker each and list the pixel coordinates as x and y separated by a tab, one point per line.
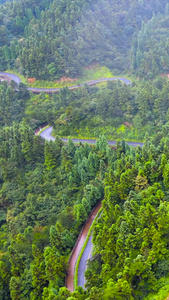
47	191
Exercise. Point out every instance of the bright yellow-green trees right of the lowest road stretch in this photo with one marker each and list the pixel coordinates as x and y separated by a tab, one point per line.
131	237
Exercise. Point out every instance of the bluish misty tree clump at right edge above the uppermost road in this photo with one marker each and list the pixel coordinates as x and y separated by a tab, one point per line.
150	47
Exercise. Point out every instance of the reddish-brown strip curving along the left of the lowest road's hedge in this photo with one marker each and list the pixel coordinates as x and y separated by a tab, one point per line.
78	247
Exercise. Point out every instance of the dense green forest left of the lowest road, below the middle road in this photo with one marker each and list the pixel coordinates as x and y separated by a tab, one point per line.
47	192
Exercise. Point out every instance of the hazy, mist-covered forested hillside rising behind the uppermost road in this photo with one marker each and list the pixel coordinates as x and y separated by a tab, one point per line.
47	39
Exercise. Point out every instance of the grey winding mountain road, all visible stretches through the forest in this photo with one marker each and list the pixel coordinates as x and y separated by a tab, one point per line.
47	135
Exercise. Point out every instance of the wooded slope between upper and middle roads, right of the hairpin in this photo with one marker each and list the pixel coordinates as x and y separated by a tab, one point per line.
116	111
